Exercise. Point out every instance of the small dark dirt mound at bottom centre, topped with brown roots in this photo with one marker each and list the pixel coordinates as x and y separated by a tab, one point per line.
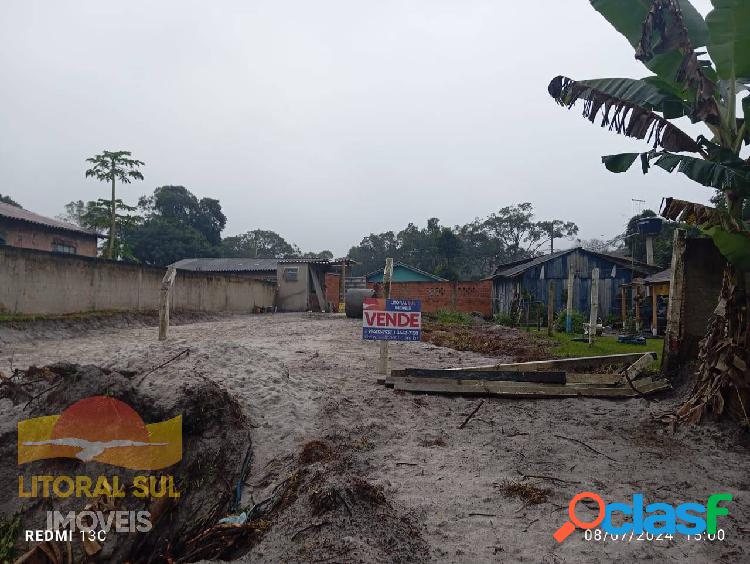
328	512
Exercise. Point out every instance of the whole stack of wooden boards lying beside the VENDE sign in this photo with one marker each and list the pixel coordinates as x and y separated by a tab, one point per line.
548	378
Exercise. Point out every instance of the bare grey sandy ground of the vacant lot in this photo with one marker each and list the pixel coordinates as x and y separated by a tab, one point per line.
310	376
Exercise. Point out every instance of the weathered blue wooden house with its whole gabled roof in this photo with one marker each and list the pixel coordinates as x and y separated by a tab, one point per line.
528	280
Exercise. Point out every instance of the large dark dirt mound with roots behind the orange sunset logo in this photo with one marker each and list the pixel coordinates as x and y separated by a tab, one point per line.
215	454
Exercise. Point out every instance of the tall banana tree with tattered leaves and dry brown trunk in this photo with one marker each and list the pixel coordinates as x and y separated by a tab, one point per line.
709	88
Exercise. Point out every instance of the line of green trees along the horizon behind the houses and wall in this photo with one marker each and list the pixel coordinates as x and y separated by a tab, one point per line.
173	223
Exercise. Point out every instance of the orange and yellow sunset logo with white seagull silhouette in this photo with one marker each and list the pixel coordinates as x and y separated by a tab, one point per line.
101	429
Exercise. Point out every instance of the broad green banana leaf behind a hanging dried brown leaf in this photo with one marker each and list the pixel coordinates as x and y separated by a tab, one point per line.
627	17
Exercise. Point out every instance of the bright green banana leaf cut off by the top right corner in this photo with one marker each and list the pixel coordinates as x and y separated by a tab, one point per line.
729	38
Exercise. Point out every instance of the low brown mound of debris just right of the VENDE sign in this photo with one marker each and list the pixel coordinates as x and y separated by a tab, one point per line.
489	339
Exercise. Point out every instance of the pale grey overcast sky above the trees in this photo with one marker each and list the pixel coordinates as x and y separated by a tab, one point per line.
322	120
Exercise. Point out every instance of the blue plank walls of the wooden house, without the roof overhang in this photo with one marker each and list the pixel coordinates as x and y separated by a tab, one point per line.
535	281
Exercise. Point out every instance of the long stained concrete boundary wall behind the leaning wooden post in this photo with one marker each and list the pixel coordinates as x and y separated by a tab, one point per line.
34	282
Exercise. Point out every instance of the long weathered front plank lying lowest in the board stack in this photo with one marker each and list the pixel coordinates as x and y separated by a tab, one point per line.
522	389
